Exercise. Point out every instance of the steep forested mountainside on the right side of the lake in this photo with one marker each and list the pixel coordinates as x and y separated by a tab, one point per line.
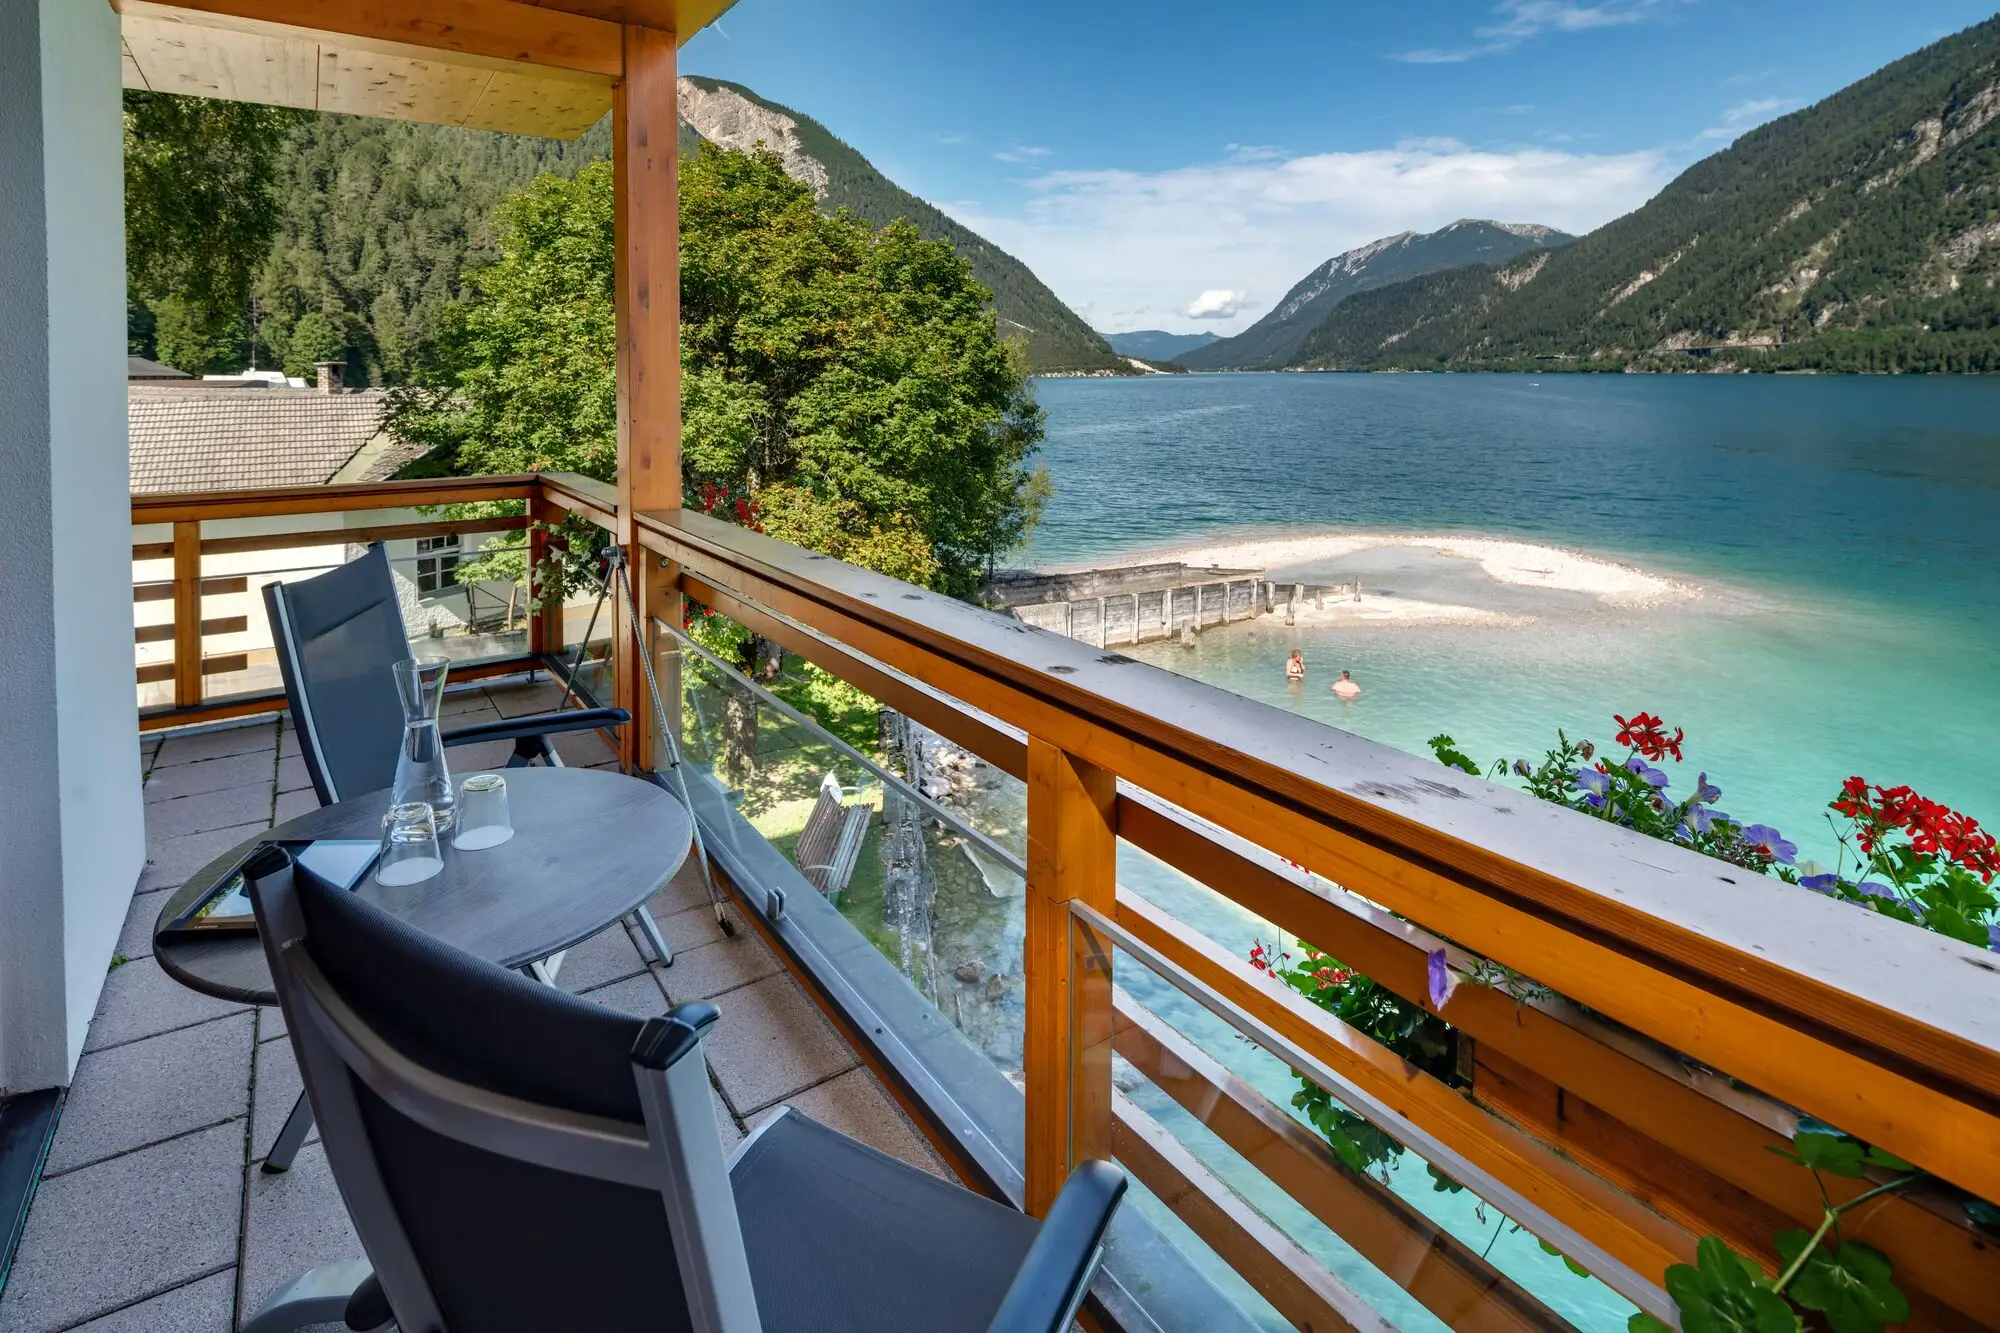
1857	235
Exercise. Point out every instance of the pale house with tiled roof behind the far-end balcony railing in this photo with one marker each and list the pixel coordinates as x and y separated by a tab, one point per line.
251	433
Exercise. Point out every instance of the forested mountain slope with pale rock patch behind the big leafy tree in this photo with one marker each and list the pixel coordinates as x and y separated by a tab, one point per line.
385	219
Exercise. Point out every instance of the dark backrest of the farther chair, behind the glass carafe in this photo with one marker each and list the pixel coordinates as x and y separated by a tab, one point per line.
337	637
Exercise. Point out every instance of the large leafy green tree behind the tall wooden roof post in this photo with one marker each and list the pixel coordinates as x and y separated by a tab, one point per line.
847	381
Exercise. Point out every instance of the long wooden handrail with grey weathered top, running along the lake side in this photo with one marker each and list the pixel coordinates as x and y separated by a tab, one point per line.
1887	1032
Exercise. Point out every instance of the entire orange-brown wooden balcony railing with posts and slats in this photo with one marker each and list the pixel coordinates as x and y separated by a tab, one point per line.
1701	1008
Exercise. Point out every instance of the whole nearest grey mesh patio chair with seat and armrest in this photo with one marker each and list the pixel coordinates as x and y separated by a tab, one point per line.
515	1158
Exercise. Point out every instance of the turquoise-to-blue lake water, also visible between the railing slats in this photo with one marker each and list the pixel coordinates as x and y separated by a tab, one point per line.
1841	529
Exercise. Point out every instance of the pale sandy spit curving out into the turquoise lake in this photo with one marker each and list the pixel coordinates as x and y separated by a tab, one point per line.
1505	561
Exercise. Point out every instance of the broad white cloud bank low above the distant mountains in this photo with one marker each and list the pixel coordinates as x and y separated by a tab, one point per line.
1133	245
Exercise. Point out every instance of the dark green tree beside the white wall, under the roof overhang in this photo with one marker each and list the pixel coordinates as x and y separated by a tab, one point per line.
201	217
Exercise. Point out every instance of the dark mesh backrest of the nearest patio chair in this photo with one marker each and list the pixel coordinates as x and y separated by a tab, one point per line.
511	1156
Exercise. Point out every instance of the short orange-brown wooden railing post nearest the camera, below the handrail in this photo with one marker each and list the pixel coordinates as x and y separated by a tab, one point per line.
1073	856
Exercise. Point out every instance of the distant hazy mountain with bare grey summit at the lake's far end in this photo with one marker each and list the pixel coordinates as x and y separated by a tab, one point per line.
1275	339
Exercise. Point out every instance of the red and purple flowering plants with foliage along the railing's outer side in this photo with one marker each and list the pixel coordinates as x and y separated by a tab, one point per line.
1913	860
